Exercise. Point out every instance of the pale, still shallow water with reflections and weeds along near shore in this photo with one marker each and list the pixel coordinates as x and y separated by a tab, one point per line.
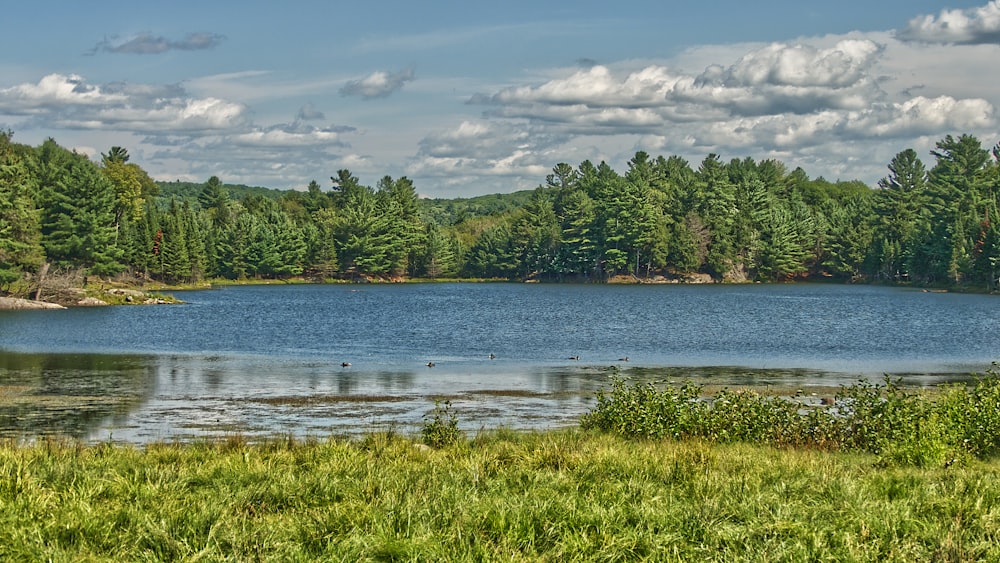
140	399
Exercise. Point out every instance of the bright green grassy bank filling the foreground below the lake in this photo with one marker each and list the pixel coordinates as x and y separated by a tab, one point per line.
506	496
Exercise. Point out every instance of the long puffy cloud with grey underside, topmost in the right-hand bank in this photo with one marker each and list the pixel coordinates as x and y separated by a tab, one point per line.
775	78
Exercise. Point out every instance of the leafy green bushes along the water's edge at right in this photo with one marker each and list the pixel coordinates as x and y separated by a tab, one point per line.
921	427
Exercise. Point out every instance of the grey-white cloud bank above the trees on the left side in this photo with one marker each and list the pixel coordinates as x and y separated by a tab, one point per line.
185	136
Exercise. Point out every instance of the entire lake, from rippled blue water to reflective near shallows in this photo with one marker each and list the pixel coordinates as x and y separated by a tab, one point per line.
265	360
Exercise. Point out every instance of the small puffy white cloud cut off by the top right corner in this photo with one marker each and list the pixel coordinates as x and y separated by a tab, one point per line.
965	27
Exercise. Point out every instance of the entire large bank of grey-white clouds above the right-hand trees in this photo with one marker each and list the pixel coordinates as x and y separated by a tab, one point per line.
821	103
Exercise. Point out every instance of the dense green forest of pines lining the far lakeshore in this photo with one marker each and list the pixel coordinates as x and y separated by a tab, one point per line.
661	219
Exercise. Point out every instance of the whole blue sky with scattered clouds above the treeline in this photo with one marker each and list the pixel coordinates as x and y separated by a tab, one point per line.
471	98
